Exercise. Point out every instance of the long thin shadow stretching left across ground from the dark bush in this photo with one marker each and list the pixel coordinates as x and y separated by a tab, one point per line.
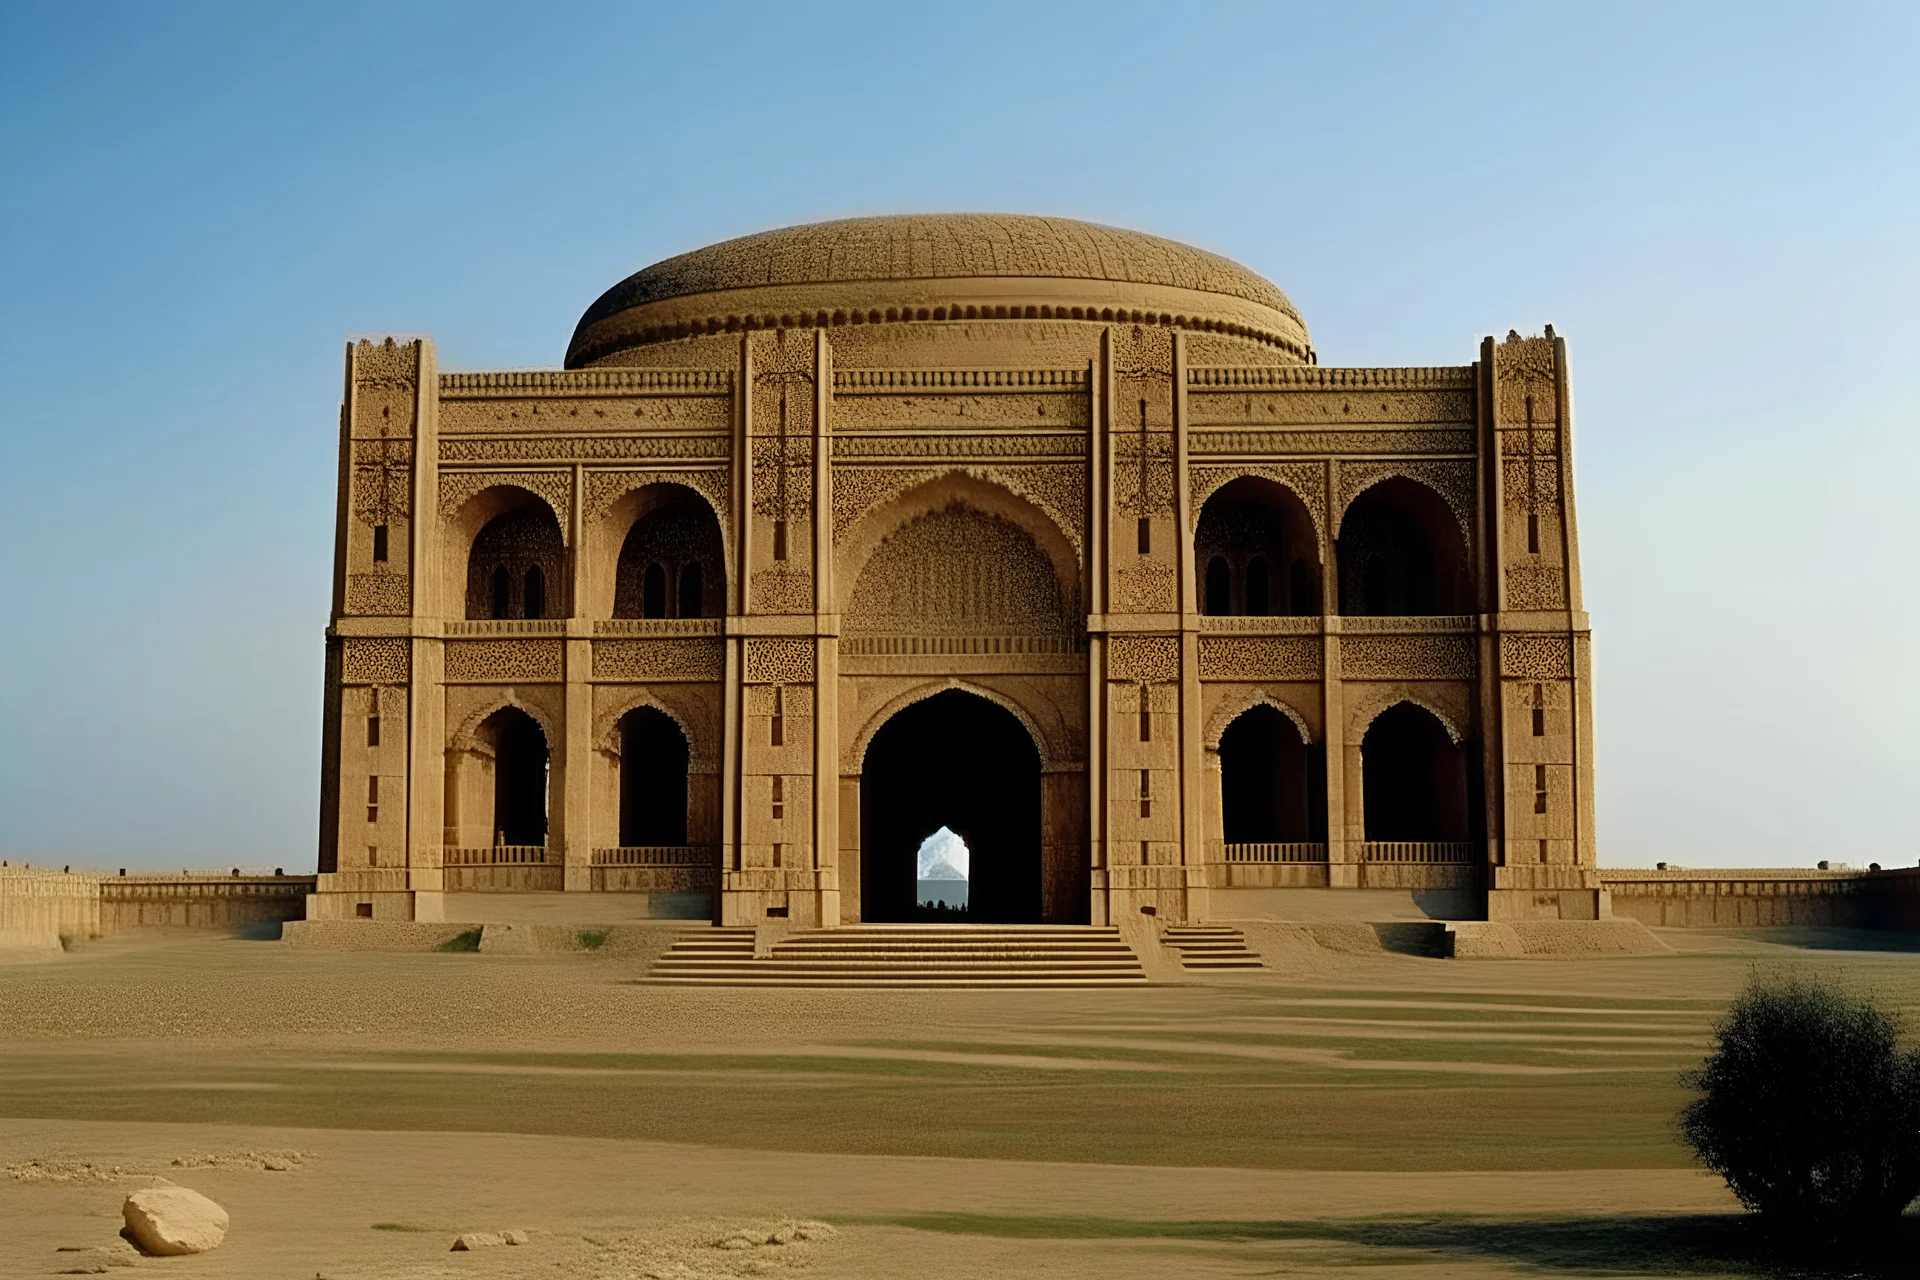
1721	1244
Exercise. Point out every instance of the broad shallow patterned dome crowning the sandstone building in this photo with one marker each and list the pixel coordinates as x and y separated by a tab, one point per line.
951	266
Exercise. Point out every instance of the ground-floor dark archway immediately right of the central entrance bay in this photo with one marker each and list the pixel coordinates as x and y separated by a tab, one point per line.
1274	786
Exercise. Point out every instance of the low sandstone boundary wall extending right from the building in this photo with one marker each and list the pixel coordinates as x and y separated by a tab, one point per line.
1708	899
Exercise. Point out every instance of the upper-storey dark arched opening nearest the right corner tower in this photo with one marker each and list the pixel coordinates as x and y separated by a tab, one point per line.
1403	556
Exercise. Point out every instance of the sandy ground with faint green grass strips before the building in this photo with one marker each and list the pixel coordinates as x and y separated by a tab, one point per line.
1343	1114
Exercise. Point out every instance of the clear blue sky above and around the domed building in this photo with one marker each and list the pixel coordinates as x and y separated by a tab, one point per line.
1716	204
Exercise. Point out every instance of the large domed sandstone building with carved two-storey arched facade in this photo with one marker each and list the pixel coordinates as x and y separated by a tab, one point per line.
1051	534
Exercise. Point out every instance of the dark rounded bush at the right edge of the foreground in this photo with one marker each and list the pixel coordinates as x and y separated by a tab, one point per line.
1810	1108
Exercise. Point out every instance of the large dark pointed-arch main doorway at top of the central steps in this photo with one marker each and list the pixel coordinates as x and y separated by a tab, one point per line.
961	763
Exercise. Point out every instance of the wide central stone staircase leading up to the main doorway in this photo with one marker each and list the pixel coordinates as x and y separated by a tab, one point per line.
905	957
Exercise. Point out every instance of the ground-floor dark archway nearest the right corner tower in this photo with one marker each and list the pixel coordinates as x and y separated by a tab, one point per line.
1416	780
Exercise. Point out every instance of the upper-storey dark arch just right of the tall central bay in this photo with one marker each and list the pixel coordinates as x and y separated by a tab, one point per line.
1259	552
